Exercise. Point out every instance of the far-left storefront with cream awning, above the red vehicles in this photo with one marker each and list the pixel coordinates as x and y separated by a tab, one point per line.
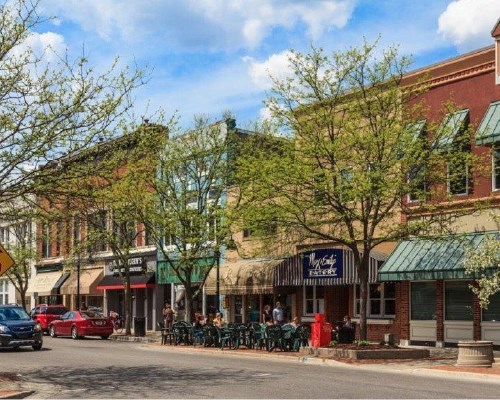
44	287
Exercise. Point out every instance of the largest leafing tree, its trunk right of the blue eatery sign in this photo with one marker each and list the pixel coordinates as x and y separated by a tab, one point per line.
352	147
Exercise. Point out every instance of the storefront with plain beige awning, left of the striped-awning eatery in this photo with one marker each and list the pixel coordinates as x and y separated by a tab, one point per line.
245	287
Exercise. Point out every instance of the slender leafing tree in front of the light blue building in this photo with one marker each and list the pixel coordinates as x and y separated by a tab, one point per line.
186	208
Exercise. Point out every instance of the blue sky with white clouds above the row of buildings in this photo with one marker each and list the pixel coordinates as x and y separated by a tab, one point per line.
209	56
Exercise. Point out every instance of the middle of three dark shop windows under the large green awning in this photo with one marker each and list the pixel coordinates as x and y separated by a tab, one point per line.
458	301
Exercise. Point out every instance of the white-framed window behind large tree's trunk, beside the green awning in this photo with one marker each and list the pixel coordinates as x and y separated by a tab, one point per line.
381	300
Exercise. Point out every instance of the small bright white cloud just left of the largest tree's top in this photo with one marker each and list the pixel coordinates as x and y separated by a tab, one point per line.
277	66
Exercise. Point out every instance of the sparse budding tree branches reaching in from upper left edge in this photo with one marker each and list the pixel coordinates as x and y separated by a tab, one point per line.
51	106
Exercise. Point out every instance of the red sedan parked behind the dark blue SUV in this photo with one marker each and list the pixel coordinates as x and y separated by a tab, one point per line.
81	323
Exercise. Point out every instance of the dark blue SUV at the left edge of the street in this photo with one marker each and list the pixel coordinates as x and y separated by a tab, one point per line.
18	329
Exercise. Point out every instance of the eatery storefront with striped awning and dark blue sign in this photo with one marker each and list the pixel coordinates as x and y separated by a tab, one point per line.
325	281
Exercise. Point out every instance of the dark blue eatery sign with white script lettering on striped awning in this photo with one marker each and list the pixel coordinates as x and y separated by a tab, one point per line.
325	263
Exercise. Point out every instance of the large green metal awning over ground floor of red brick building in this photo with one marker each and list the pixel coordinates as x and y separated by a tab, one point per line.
431	259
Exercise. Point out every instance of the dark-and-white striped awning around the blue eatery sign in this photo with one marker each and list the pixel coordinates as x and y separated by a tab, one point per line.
290	272
